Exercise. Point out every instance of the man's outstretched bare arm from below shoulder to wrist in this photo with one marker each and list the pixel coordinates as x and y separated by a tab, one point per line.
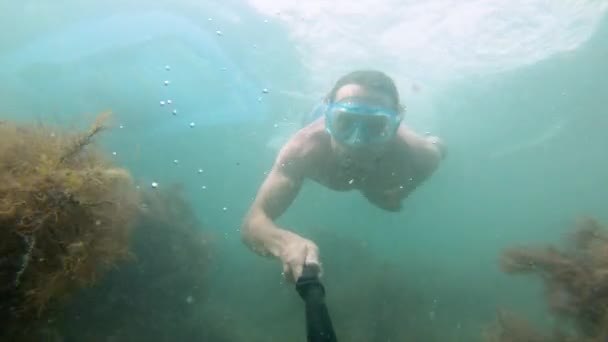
276	194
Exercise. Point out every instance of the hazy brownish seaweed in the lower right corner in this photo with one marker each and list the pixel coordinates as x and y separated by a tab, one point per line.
576	286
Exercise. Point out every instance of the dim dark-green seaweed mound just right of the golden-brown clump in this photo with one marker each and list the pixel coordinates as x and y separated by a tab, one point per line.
159	295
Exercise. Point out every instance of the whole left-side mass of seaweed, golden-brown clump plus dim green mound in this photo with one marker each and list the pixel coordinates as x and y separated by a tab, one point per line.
132	263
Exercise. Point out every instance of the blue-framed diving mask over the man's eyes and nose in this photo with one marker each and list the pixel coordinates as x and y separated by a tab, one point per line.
357	124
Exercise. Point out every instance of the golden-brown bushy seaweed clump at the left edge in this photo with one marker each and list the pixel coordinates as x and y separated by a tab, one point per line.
66	214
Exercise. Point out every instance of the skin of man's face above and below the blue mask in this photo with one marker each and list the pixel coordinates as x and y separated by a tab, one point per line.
358	94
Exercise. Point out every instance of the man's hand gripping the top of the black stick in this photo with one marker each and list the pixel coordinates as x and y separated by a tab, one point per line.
297	253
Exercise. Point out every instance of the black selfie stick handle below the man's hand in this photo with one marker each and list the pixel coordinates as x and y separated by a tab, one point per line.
318	322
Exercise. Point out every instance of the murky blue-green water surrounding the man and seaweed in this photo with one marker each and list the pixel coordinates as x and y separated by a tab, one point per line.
517	90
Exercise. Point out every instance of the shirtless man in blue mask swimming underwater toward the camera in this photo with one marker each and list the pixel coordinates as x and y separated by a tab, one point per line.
357	143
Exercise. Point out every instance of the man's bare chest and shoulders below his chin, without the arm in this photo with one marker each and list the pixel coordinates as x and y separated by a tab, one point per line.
383	180
